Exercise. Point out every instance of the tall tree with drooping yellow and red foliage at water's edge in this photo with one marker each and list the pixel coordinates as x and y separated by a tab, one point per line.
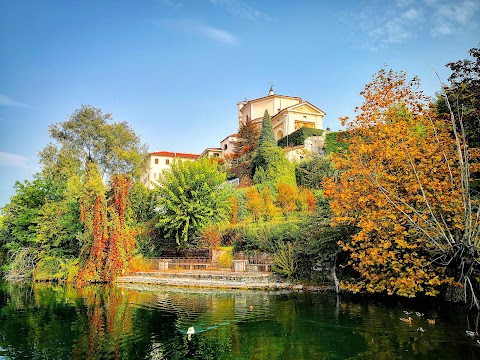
102	151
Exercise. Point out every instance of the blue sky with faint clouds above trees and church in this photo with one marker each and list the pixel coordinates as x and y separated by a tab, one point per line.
175	69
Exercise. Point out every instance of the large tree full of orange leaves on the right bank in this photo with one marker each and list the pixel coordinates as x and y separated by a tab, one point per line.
402	184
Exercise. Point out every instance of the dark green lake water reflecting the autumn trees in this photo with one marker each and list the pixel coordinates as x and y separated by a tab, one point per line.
107	322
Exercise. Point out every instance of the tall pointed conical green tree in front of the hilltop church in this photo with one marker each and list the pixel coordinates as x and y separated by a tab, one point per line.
270	165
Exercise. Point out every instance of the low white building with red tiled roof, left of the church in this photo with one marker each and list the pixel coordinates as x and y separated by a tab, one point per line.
159	161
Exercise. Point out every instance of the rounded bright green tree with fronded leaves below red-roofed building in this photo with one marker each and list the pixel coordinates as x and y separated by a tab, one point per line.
191	195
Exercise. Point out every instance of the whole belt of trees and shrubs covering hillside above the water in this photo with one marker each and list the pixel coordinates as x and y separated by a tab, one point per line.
392	208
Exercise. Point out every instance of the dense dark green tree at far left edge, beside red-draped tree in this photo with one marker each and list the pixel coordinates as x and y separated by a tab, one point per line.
38	221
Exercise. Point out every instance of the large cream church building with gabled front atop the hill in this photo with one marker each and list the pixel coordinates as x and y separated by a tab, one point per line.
288	113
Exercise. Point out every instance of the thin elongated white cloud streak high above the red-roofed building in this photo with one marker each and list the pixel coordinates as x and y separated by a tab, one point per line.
191	27
